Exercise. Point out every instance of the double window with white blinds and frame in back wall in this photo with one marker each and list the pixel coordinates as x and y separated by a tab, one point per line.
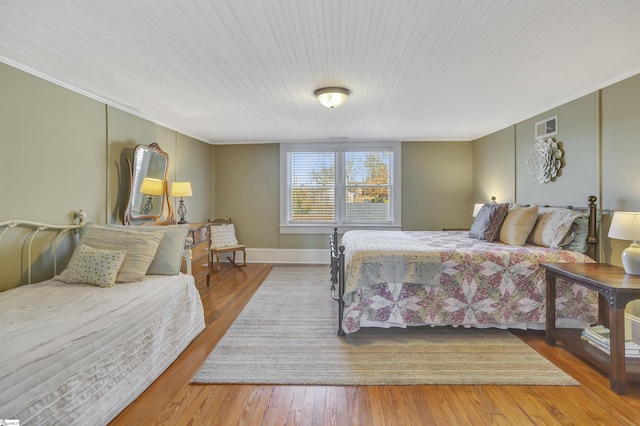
353	185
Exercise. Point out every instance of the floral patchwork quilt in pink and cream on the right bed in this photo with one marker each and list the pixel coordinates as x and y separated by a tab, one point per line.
400	279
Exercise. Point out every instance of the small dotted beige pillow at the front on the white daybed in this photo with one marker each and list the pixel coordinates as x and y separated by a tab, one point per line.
94	266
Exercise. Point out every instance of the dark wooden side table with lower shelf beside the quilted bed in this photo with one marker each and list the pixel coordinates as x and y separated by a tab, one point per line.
618	289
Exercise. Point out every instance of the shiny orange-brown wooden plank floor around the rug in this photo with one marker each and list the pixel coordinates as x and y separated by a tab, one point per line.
172	400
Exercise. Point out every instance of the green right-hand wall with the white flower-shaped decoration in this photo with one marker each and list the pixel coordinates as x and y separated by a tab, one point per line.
600	137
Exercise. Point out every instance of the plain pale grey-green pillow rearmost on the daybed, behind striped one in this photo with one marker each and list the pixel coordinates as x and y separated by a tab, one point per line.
168	258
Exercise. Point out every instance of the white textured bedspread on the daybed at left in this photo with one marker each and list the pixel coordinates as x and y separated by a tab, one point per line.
79	354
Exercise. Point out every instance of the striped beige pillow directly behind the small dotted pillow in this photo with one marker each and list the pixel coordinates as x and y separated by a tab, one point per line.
141	247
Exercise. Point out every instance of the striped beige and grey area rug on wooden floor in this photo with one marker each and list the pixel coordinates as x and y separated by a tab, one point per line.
287	335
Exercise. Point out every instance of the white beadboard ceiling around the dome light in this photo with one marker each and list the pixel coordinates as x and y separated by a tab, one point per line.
245	71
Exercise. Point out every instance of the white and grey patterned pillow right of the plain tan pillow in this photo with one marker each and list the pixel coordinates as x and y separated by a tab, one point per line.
554	227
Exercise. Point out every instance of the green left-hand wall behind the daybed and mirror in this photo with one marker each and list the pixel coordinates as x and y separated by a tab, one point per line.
62	151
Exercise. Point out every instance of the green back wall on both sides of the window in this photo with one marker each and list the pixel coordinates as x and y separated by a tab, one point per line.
436	191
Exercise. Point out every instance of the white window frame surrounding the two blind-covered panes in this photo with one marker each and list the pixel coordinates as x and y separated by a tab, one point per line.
395	186
